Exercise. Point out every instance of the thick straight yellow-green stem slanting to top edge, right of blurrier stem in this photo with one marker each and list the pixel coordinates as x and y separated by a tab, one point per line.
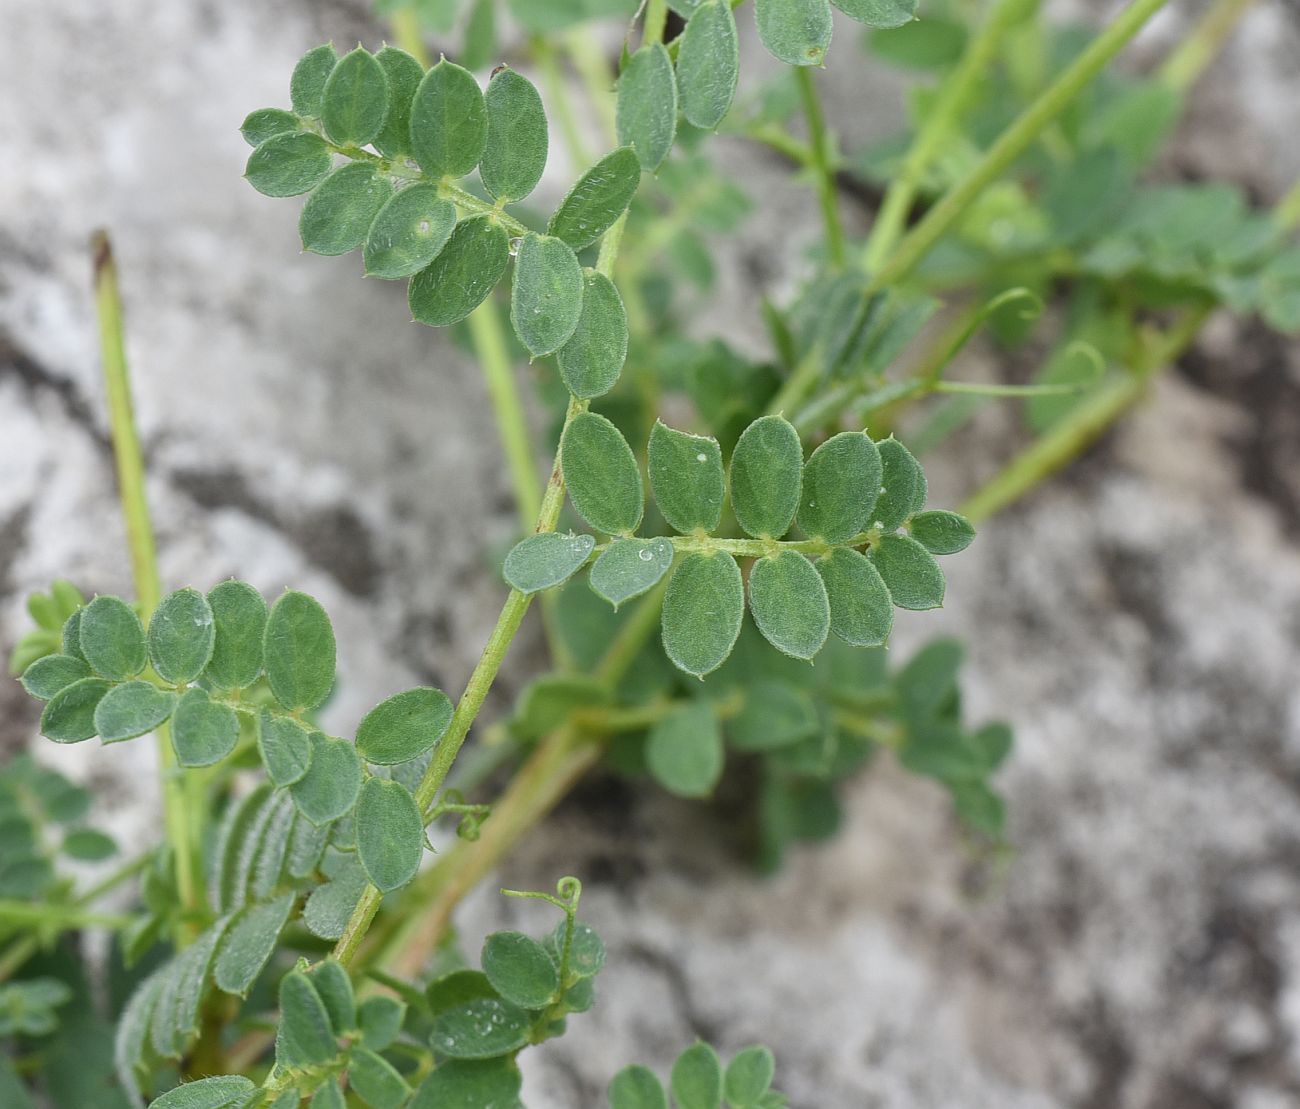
1012	144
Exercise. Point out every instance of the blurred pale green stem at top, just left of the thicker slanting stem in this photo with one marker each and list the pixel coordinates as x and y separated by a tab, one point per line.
937	128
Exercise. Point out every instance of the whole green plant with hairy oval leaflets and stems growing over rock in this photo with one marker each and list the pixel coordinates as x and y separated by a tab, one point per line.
291	880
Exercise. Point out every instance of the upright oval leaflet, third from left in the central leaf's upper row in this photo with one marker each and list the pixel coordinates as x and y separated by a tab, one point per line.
766	478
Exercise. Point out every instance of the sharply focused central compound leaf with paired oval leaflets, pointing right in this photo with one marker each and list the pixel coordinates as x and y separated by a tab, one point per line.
859	504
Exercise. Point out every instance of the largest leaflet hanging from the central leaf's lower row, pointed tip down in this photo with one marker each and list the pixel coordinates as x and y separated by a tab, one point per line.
703	613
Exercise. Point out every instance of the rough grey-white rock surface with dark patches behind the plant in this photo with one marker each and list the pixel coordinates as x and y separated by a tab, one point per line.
1139	621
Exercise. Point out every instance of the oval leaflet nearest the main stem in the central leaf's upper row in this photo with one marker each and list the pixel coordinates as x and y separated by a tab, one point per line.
601	474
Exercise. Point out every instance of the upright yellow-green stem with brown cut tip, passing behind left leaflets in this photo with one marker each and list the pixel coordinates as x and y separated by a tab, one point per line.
183	811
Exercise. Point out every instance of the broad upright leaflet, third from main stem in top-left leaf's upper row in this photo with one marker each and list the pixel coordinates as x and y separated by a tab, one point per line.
449	122
